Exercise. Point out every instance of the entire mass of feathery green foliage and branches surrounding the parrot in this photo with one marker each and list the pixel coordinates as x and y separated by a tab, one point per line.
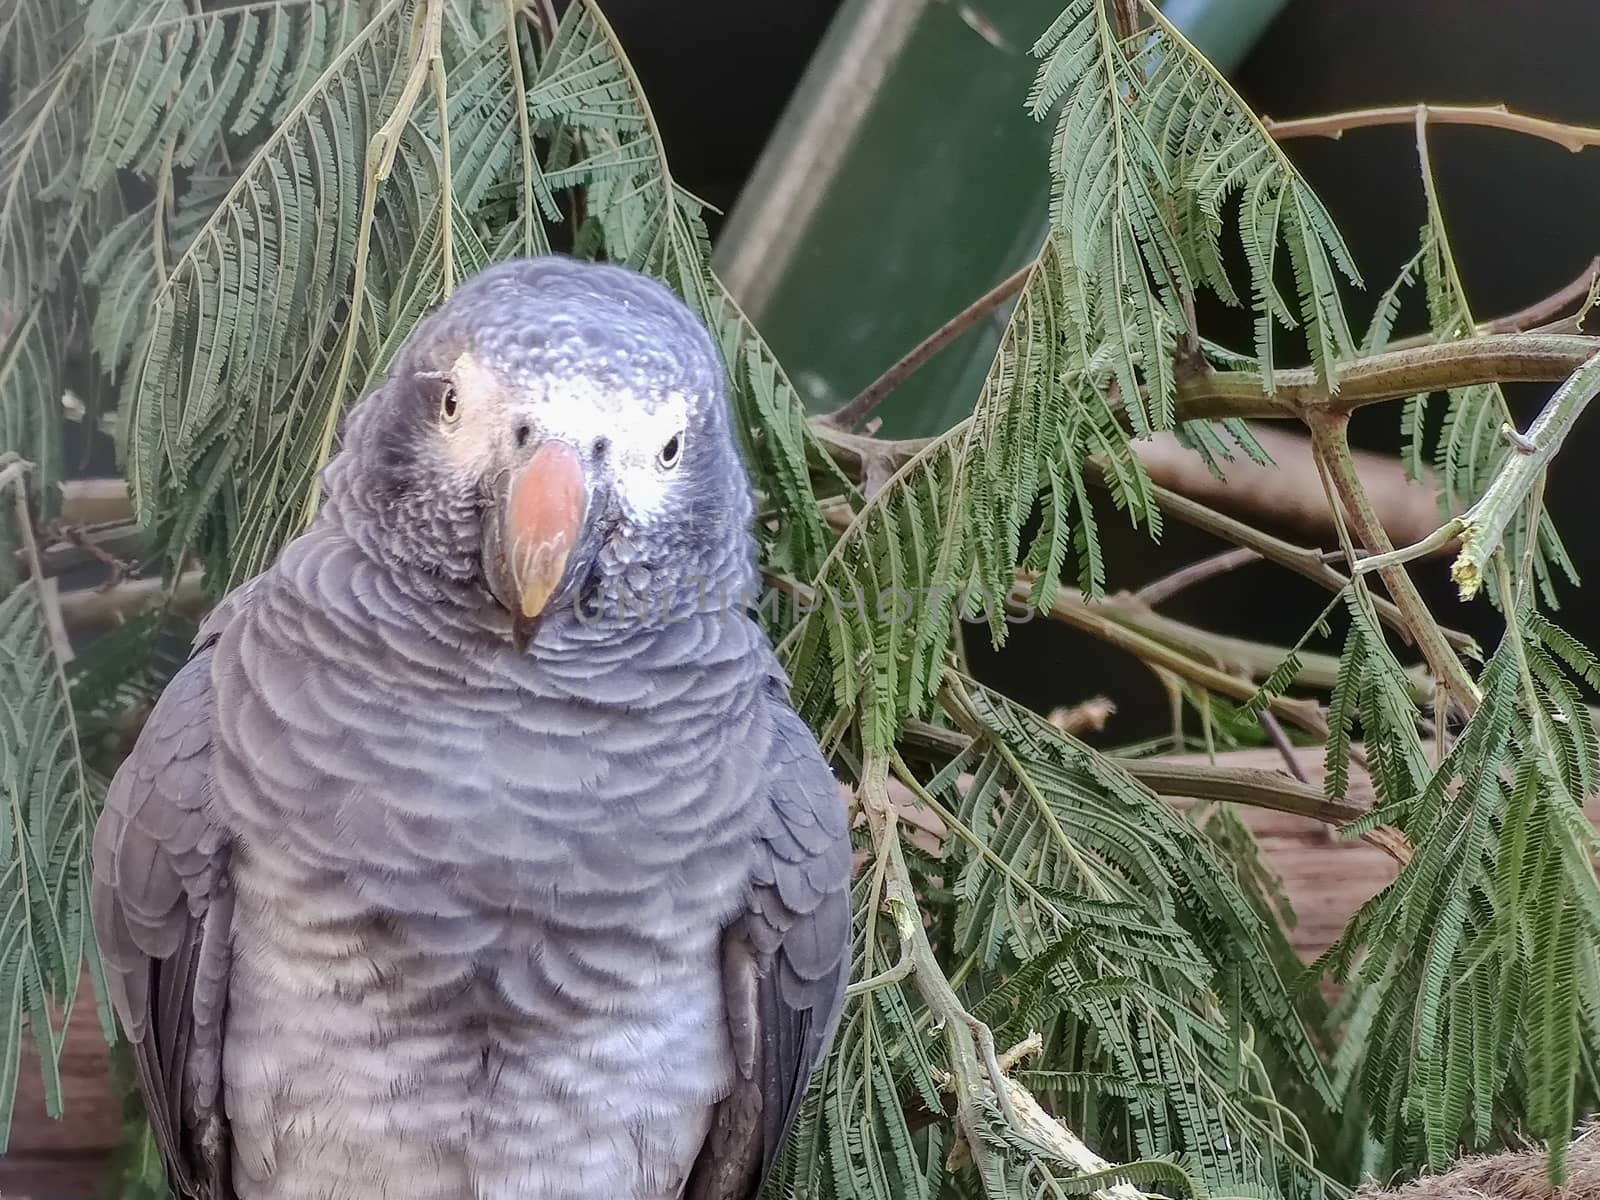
220	222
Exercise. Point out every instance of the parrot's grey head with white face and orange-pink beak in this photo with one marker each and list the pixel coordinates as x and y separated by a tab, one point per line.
556	434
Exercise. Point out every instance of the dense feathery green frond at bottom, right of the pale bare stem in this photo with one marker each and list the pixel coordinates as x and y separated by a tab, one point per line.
1103	921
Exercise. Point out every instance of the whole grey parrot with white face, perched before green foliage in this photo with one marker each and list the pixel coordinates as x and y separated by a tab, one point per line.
478	850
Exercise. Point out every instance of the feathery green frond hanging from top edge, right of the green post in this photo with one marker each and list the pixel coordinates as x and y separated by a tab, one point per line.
1150	148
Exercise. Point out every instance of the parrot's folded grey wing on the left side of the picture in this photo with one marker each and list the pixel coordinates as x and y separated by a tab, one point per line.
161	918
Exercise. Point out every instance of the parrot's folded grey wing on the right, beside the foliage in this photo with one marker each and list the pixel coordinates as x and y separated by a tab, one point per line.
785	966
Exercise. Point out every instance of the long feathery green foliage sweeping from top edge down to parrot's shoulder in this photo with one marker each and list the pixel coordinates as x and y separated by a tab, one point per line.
1150	148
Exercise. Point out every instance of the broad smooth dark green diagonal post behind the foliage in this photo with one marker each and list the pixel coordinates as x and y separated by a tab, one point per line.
942	193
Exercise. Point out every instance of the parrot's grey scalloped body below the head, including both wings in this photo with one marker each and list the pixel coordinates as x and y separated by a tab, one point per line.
614	799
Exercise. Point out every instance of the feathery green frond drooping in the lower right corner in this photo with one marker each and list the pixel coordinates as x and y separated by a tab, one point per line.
1470	959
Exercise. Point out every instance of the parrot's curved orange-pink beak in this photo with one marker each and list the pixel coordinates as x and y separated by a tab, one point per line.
543	518
